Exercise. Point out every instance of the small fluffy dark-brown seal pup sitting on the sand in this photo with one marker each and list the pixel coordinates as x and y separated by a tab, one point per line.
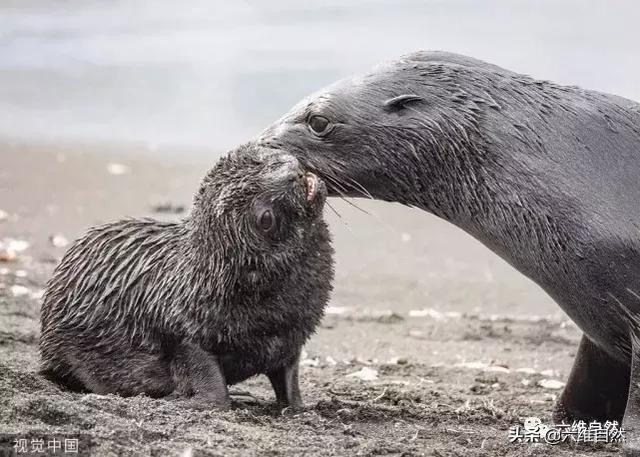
234	290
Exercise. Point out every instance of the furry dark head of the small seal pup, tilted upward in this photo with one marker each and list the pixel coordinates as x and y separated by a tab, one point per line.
258	207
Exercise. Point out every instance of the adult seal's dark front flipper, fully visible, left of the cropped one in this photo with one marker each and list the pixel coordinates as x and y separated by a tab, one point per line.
596	388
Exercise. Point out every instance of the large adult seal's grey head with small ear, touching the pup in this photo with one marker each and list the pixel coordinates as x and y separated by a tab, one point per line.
407	128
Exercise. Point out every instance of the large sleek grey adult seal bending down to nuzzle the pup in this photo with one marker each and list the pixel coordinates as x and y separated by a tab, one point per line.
545	175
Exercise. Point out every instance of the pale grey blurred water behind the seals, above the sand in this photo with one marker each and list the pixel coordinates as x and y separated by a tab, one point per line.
197	77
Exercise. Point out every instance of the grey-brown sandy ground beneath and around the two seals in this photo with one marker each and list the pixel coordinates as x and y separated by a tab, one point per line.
456	342
